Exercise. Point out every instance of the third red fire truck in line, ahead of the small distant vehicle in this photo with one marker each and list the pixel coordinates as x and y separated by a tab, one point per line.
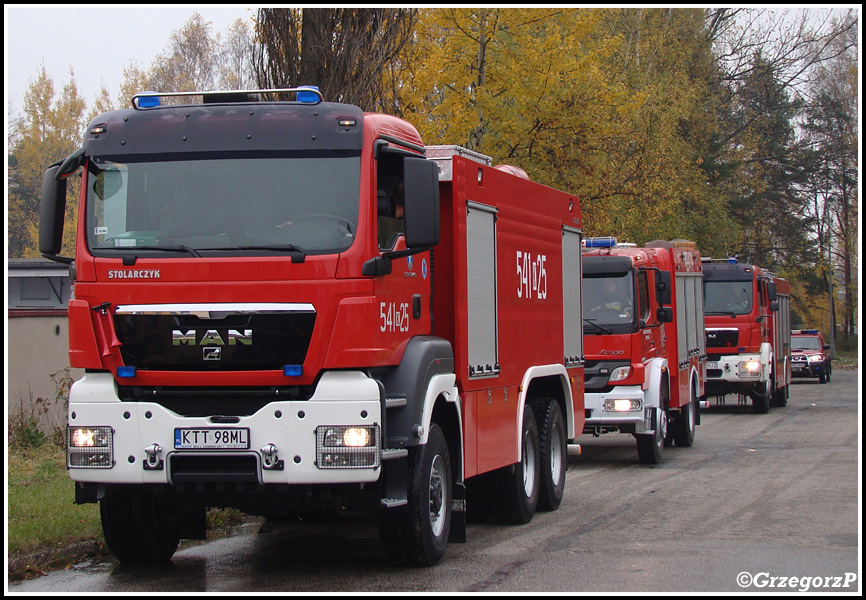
748	329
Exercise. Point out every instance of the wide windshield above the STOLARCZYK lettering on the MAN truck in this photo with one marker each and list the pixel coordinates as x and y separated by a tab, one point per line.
216	205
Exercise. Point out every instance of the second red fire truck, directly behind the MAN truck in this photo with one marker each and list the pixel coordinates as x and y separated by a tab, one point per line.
643	322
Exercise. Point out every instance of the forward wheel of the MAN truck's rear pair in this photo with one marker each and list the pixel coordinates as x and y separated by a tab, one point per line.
517	486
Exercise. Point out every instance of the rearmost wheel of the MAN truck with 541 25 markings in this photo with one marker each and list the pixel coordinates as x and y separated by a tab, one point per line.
553	449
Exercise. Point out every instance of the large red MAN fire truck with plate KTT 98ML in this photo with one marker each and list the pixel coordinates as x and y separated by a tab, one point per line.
293	305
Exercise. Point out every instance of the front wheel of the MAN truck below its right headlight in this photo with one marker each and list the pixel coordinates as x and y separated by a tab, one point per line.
417	533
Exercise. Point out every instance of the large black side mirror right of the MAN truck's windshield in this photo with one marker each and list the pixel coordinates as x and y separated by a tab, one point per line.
421	202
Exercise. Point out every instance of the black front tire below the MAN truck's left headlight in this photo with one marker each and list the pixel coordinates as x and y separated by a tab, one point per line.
137	528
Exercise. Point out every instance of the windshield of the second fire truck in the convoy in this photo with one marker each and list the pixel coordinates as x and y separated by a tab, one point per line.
608	301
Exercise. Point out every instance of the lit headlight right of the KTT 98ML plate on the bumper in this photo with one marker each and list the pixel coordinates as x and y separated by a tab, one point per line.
347	447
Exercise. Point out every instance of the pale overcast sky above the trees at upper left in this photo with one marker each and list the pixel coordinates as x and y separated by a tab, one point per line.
96	41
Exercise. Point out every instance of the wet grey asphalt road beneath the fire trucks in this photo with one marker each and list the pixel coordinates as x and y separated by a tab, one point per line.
760	504
